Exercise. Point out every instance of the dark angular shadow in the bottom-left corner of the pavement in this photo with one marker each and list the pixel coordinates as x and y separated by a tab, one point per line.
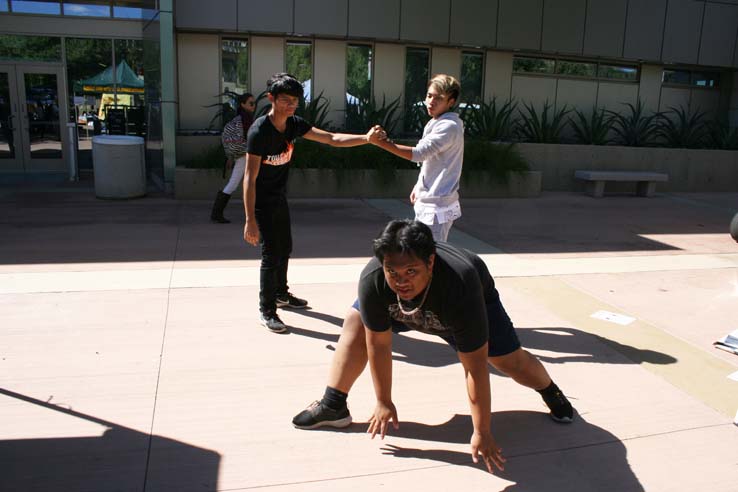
119	458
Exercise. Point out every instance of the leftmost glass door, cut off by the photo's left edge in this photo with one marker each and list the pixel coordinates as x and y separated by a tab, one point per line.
11	155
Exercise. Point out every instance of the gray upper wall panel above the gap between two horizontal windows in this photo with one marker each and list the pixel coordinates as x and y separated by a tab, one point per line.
644	32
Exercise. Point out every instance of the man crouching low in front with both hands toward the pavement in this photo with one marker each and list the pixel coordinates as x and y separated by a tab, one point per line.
415	284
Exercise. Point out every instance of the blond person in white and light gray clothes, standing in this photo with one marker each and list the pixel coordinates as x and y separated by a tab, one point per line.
435	196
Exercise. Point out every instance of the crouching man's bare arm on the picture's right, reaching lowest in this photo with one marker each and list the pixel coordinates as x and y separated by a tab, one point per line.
477	386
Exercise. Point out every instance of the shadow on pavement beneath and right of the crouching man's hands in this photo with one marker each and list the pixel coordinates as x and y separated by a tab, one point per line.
541	455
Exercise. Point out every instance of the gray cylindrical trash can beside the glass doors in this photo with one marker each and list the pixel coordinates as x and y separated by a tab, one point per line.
119	165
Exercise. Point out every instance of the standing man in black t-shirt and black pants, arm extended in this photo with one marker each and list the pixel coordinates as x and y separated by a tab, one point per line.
269	144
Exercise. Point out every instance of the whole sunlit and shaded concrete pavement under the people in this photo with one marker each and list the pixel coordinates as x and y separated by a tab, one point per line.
131	357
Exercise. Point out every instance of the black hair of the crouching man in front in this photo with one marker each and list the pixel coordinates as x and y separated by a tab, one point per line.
405	237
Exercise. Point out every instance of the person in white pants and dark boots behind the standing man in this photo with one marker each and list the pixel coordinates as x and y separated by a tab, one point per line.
234	141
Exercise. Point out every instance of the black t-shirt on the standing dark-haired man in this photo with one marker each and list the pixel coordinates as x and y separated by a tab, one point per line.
275	149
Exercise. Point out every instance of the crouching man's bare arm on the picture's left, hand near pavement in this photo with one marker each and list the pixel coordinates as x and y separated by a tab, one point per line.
379	351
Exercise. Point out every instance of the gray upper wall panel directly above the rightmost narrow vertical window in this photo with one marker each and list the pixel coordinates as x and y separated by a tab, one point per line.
474	22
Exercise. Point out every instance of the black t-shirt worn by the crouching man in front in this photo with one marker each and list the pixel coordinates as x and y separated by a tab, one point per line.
455	307
